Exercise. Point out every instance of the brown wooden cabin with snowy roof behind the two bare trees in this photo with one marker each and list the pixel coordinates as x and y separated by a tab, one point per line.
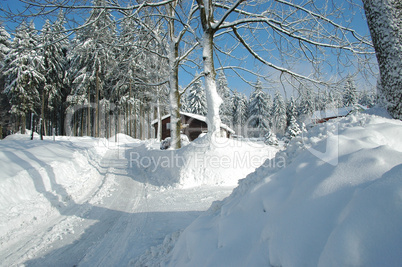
192	126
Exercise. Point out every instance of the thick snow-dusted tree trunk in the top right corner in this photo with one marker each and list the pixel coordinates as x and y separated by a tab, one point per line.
384	18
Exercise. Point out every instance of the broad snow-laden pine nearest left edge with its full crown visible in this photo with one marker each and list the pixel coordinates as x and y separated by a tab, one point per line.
24	73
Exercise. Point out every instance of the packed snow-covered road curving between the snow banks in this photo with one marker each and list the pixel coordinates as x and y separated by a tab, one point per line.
114	223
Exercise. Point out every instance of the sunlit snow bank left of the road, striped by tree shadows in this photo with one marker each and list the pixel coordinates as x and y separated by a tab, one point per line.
40	178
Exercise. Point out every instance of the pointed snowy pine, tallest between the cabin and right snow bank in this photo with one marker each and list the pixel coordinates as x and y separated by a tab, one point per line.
259	111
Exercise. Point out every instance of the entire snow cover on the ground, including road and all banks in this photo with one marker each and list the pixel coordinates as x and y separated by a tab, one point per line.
81	201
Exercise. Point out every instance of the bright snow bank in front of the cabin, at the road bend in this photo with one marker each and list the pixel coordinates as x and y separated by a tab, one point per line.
220	161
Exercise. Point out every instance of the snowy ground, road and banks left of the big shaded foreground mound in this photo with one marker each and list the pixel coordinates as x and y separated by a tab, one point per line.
94	202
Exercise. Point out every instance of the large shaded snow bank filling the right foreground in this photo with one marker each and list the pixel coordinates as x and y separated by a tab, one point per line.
338	202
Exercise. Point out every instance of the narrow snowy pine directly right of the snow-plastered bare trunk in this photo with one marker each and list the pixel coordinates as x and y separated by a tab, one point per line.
226	107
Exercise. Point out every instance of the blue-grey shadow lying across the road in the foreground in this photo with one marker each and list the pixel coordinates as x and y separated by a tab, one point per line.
97	246
